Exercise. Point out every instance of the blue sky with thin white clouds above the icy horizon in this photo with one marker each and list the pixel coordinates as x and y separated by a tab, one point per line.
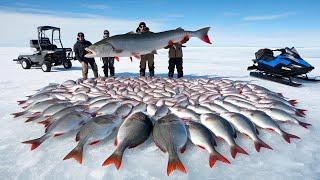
232	22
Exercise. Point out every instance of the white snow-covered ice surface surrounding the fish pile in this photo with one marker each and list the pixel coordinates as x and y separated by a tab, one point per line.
287	161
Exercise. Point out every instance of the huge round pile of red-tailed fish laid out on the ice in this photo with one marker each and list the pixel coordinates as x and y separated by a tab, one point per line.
171	111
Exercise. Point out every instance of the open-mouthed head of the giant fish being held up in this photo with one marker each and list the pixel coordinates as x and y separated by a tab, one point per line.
100	49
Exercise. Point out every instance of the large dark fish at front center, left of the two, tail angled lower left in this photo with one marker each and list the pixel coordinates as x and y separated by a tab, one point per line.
132	132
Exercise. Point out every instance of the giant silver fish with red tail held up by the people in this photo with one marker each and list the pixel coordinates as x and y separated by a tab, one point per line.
130	44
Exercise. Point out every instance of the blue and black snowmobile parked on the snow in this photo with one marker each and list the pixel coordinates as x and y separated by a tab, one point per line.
282	68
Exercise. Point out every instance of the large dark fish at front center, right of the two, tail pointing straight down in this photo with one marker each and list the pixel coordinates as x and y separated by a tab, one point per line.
170	135
